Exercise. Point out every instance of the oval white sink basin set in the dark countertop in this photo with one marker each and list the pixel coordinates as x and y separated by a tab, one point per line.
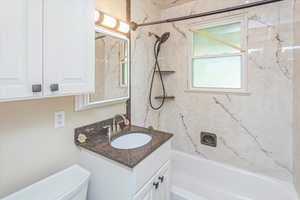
131	141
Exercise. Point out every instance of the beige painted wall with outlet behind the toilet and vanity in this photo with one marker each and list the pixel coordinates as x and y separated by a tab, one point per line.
30	148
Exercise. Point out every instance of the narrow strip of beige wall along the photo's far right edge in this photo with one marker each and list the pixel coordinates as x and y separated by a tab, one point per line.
297	97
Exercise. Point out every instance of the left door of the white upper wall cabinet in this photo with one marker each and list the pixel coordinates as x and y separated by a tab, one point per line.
20	48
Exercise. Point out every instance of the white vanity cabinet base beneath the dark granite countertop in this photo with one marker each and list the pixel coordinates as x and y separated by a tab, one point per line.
149	180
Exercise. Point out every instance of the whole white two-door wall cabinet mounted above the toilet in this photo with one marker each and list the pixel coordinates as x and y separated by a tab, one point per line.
46	48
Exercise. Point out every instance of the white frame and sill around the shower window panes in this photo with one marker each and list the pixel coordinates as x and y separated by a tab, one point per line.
244	68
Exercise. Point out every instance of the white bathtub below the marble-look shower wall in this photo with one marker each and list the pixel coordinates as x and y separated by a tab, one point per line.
195	178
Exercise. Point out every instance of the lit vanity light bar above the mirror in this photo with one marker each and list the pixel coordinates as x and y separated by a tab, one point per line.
110	22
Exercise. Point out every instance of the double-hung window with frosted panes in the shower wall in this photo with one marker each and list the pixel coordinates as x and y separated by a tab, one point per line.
218	57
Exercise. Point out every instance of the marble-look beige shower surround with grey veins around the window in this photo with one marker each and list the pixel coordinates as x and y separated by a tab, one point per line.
254	130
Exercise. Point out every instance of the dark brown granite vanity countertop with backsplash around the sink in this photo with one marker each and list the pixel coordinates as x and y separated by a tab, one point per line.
97	142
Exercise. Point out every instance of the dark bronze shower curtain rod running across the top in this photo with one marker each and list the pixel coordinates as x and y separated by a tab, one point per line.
134	25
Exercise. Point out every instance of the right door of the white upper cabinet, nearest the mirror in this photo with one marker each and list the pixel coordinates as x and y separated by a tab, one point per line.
69	47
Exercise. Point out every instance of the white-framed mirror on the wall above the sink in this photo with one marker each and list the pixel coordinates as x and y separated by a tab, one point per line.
111	73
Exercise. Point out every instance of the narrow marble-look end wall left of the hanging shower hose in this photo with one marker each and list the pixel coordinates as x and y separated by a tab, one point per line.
142	62
